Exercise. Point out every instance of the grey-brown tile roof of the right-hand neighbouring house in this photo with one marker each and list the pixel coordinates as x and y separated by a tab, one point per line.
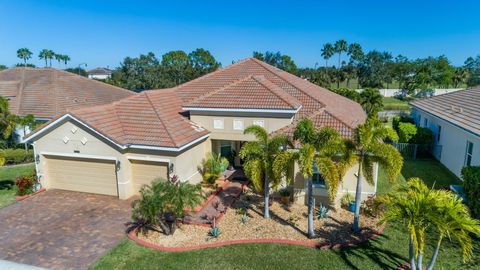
461	108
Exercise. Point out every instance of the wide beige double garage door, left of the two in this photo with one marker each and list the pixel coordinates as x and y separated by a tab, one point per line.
82	174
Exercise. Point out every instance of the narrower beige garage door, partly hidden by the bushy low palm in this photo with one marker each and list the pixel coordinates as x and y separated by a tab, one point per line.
144	172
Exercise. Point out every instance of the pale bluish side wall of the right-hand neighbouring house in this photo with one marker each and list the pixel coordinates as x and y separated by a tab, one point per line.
453	142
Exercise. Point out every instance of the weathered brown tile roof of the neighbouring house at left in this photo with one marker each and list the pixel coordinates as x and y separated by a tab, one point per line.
48	92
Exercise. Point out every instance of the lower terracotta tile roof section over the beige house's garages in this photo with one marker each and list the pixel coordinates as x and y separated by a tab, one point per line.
150	118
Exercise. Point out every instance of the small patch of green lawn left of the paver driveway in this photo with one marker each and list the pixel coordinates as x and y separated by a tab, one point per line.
7	182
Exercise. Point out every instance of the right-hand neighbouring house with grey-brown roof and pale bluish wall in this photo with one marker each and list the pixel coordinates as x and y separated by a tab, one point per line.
454	119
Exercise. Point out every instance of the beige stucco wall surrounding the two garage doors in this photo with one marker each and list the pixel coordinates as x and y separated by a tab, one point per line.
184	163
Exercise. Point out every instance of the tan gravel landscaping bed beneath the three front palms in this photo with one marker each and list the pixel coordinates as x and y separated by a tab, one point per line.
288	224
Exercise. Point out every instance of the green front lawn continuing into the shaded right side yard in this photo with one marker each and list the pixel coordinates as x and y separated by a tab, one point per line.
385	252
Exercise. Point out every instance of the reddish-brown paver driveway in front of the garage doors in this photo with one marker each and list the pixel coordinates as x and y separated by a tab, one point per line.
60	229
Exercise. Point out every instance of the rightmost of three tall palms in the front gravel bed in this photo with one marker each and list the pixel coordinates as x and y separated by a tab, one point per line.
368	147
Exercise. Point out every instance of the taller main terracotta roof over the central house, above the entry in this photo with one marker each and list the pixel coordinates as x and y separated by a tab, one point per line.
246	84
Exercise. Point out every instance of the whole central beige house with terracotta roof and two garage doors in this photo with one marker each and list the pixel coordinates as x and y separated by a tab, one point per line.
114	149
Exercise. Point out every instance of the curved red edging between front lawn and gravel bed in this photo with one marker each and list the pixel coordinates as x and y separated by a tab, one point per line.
132	235
